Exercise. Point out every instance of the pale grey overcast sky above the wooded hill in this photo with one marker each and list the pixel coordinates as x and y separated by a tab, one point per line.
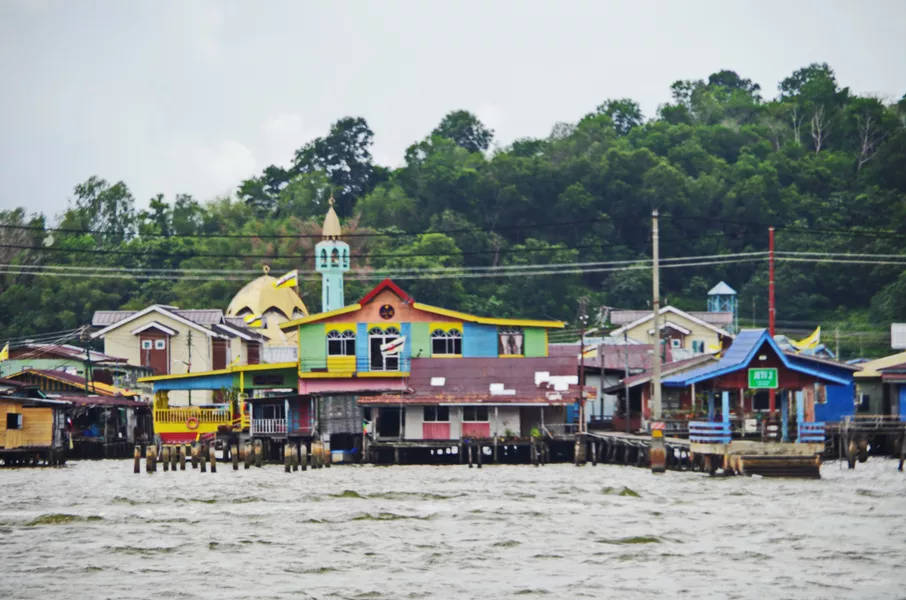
193	96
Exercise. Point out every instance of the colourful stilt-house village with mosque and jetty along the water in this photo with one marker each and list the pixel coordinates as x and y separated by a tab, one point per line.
387	379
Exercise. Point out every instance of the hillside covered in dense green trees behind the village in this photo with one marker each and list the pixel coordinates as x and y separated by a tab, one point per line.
721	162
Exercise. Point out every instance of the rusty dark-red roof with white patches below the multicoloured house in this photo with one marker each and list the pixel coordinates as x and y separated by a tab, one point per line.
487	381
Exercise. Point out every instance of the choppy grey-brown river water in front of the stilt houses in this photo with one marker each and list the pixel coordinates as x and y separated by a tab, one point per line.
96	530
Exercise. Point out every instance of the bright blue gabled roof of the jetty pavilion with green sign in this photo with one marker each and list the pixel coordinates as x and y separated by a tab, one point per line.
740	354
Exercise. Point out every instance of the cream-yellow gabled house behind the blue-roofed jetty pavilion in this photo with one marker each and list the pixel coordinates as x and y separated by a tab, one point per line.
685	334
